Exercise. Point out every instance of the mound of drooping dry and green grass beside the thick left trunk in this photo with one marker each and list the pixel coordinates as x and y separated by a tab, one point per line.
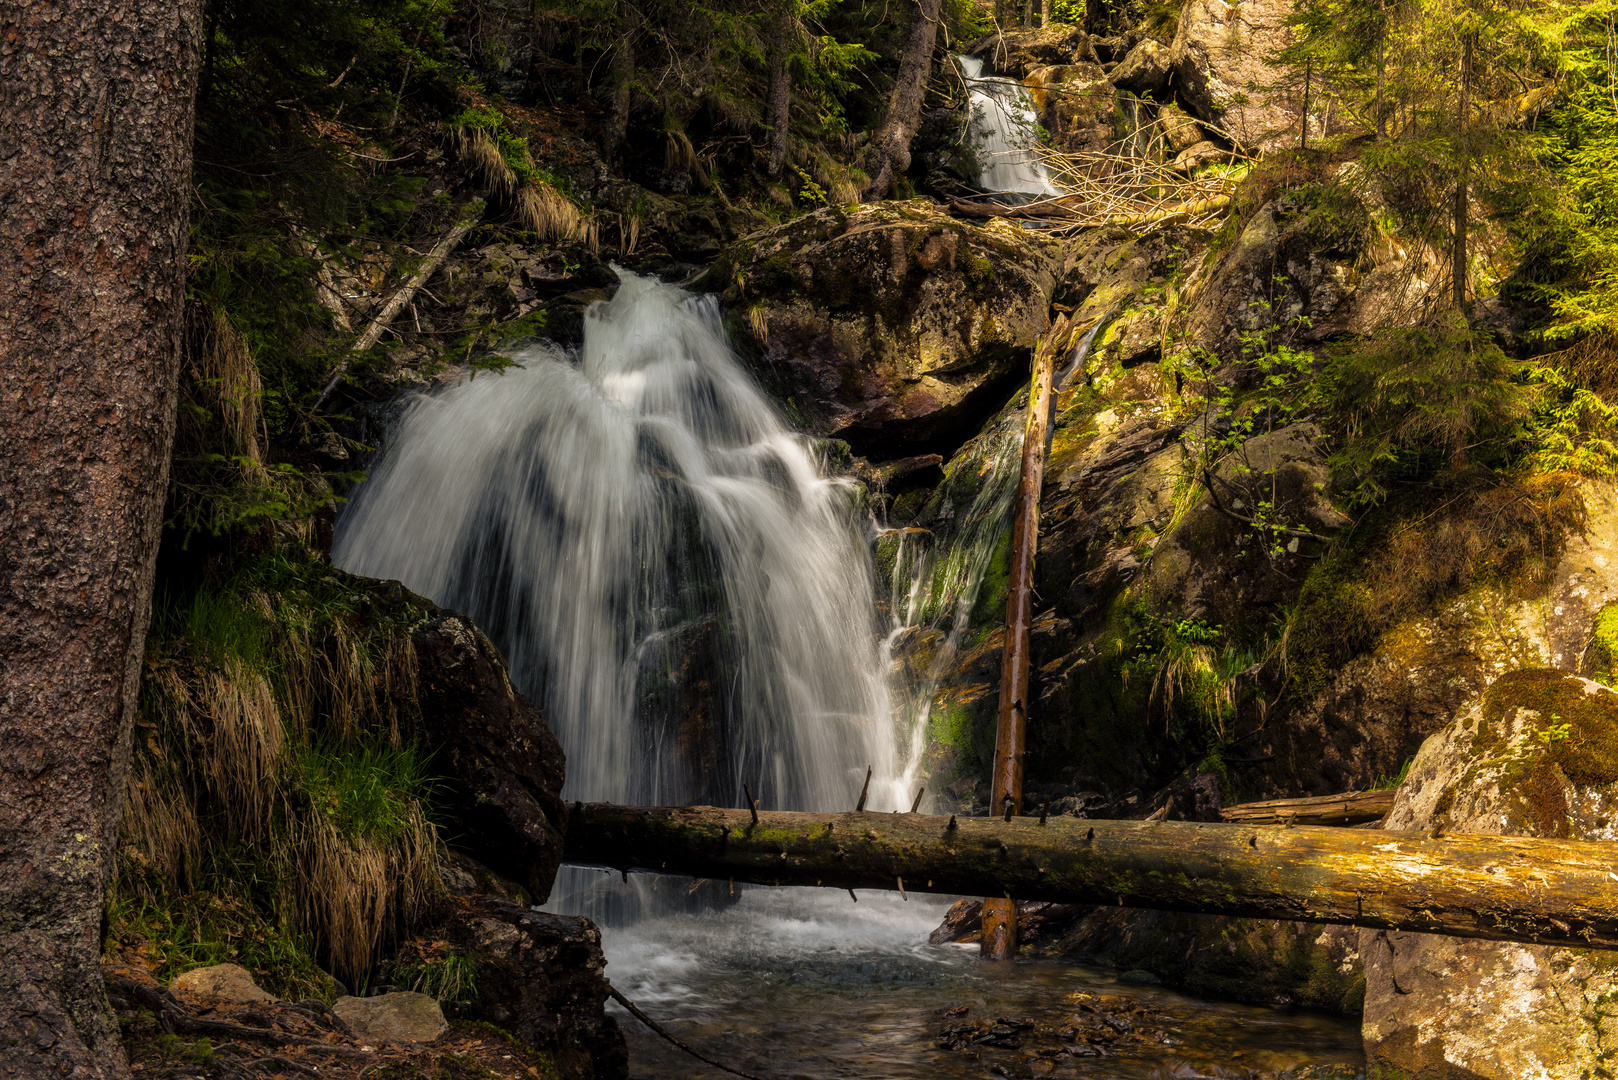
279	810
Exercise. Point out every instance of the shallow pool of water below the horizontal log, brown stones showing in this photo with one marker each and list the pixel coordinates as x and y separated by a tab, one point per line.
810	985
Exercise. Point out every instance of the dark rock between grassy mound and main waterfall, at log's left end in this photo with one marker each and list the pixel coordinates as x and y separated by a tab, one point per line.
504	765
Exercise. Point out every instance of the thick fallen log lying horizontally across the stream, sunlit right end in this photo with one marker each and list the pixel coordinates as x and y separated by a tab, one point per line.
1494	888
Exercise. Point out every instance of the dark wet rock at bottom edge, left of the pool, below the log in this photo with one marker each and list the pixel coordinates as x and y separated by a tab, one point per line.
540	977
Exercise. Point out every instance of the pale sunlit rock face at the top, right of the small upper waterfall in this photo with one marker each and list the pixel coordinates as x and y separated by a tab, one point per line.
1221	70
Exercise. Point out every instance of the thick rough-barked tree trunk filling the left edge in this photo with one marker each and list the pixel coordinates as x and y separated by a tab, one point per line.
96	106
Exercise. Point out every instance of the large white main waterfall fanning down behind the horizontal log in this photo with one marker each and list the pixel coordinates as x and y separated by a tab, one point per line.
664	564
